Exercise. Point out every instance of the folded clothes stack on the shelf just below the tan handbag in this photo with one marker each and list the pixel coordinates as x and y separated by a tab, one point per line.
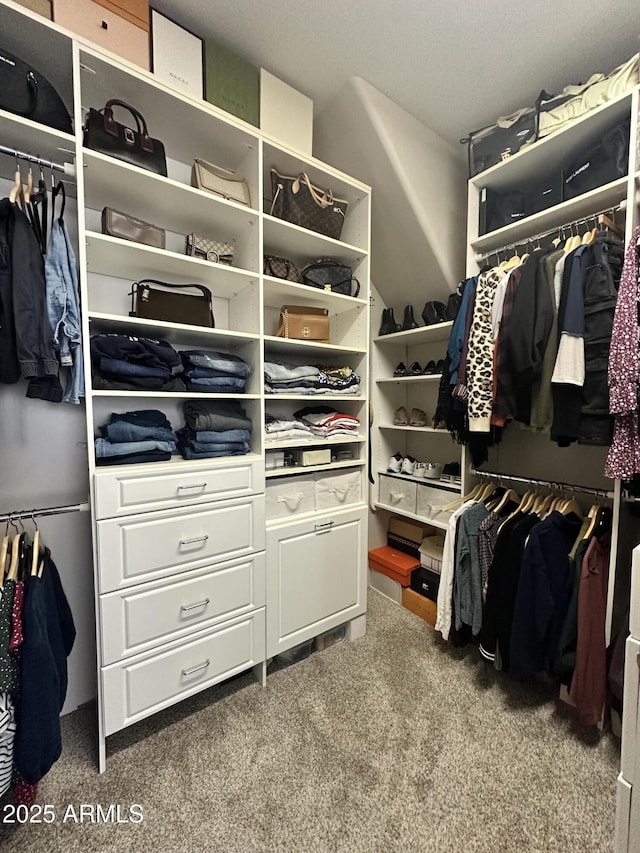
280	378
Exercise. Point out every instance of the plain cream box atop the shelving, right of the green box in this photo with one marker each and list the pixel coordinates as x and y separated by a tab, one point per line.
286	114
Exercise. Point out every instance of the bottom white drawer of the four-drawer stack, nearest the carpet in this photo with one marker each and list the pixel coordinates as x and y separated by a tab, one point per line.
136	688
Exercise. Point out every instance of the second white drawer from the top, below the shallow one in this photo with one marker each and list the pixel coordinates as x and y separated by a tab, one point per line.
147	547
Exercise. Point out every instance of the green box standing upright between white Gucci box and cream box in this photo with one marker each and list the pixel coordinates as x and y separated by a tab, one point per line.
232	83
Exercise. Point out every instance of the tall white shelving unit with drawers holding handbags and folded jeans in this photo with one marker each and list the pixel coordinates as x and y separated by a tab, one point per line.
187	591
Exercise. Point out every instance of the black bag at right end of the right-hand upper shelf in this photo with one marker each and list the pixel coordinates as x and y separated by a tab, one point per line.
604	160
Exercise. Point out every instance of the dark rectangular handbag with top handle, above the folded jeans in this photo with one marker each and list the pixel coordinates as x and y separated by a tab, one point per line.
150	301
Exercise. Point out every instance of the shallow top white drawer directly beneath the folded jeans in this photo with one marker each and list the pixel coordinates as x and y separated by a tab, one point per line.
164	487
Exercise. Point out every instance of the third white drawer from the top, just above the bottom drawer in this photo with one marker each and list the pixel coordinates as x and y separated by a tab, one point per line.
137	619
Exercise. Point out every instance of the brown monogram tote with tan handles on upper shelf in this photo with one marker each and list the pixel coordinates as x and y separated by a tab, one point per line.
298	201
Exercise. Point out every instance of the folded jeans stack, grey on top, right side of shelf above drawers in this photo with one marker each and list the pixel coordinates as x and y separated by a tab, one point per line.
214	428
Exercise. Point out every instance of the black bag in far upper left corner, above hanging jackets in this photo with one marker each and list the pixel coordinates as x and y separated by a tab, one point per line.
27	93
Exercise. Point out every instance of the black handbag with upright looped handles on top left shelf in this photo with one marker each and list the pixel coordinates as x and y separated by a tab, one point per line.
104	134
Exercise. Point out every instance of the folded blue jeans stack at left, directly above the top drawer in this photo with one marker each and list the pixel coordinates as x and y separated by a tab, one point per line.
134	437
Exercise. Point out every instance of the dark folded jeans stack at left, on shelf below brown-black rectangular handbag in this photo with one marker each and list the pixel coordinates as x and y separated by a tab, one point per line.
125	363
